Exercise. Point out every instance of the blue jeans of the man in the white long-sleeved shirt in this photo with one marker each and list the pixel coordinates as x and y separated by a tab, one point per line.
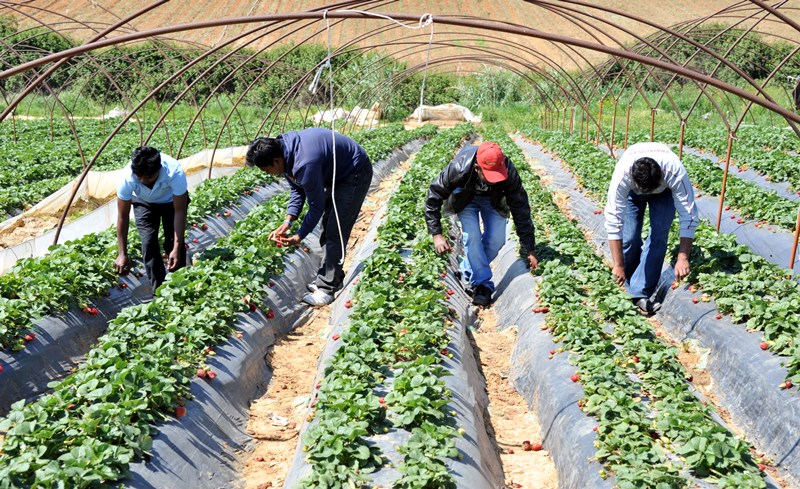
643	264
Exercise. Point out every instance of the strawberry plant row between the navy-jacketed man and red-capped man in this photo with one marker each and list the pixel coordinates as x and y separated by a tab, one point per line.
385	375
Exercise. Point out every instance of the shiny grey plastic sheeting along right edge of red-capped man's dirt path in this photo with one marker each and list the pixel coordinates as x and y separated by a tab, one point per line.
566	431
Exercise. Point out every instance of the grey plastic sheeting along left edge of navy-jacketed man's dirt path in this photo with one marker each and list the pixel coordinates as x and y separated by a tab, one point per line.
201	450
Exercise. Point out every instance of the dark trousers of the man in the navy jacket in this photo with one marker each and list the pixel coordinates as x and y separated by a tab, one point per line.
349	197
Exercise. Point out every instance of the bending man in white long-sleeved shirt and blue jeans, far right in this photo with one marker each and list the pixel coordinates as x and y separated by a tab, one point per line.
648	174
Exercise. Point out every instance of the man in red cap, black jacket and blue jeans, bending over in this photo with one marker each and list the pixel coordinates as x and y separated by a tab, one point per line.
480	185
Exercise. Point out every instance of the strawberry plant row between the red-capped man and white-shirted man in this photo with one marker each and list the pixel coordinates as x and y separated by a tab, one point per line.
652	431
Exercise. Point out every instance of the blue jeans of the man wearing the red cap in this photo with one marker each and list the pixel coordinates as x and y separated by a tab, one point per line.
481	248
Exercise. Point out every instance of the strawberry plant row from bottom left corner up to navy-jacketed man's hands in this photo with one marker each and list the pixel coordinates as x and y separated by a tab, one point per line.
99	419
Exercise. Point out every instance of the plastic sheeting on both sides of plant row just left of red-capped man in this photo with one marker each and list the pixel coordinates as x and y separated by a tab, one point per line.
480	466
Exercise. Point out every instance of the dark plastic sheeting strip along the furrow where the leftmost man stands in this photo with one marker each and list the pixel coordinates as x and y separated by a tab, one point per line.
63	340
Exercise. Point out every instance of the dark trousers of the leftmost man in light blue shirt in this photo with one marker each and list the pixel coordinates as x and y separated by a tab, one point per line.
149	218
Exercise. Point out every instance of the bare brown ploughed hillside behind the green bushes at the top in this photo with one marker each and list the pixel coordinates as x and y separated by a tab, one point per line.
76	16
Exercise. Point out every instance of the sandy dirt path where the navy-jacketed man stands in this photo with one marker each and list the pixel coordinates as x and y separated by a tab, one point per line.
276	418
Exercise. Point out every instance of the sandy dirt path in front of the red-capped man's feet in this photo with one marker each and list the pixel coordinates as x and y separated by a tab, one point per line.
510	422
